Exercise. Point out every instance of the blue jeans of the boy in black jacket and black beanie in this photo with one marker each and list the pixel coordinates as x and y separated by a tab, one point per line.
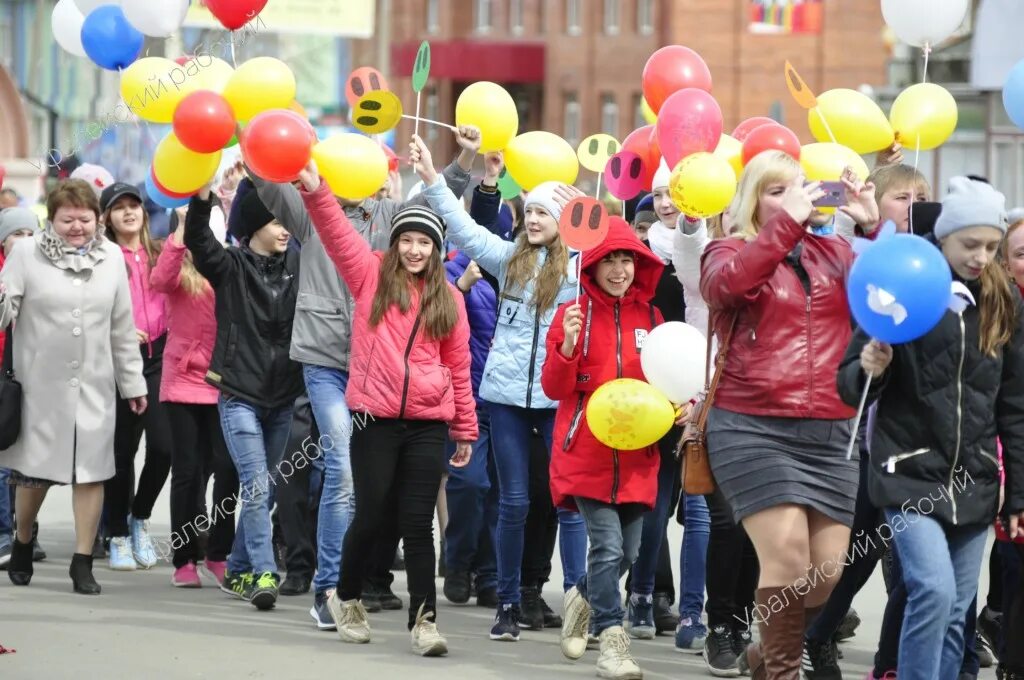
257	438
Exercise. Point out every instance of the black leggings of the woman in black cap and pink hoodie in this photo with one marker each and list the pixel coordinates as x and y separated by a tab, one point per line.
118	491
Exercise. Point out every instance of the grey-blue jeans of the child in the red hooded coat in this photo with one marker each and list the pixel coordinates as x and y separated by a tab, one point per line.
615	541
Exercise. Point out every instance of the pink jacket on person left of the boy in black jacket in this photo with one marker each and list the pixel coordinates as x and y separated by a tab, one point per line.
192	333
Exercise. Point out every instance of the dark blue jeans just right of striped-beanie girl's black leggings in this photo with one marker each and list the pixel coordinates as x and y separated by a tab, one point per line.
473	501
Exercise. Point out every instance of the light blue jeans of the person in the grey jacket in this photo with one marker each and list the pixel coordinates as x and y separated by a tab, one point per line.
327	398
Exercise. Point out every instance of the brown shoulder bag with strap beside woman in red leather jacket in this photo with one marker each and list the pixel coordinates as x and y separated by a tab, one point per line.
696	473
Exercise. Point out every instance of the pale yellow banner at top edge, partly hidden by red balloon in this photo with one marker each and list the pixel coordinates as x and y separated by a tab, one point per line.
344	19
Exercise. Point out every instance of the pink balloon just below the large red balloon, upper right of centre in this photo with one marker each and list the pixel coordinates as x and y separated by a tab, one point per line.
691	121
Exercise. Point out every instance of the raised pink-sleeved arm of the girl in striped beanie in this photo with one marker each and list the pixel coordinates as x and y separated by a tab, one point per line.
351	253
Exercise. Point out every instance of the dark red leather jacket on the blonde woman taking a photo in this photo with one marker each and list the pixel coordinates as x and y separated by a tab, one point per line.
791	333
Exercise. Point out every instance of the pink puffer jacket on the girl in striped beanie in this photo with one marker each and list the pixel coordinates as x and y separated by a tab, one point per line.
396	370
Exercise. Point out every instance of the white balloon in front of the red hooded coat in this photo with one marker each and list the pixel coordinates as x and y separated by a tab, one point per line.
673	359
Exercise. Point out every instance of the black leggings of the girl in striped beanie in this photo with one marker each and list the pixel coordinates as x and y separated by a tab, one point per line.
397	472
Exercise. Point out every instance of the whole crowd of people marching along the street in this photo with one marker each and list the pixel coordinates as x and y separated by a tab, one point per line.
346	371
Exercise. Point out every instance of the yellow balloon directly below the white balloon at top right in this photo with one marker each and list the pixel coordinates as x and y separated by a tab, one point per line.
924	116
